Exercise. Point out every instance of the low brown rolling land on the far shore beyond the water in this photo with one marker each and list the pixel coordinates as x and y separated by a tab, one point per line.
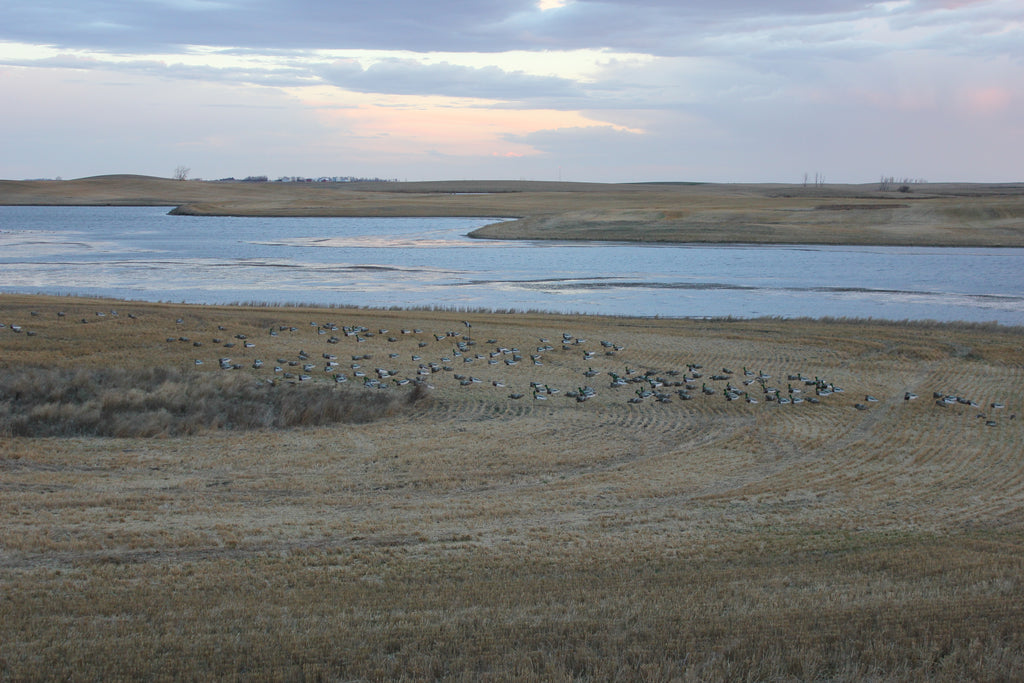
926	215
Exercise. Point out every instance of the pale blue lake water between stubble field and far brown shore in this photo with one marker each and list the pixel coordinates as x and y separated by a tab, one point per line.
143	253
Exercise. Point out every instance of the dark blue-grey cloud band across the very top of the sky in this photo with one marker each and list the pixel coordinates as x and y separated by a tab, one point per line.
656	27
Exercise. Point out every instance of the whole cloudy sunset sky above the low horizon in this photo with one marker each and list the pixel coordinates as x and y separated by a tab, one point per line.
579	91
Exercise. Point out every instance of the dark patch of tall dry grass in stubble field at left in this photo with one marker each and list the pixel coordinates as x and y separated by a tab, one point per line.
162	402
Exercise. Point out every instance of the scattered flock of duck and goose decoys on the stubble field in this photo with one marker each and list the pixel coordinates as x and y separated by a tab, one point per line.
657	387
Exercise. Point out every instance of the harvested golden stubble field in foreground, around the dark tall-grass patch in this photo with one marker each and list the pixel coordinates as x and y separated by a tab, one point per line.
476	537
